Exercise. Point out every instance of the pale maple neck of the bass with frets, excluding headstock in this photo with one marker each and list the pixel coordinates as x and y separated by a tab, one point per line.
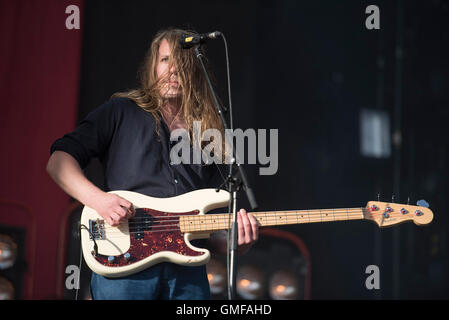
217	222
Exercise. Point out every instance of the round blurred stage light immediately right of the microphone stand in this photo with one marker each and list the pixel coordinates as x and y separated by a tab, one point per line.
250	282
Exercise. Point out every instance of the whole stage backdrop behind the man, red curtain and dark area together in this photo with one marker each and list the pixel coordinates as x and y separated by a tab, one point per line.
305	68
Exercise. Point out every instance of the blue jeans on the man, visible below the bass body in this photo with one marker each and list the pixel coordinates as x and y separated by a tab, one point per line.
162	281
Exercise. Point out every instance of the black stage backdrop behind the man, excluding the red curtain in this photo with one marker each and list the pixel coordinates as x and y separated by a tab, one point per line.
307	69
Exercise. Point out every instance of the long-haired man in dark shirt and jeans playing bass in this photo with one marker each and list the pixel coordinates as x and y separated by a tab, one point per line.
130	134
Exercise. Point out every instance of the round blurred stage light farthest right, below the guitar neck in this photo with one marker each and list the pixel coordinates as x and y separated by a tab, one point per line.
284	285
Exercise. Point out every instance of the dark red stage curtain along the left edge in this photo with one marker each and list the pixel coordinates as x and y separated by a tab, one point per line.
39	82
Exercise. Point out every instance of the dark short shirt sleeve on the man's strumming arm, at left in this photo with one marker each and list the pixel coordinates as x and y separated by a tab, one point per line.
91	137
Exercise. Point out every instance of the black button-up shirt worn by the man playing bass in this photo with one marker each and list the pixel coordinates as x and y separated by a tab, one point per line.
134	157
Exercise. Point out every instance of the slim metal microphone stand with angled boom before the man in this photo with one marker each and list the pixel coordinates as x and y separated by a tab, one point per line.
233	185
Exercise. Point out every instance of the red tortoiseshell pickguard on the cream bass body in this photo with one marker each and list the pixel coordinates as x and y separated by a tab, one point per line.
152	242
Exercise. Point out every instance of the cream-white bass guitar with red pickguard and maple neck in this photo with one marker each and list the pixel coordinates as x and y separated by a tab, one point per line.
162	228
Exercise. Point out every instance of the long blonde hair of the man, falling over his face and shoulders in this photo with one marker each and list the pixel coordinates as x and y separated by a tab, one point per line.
197	103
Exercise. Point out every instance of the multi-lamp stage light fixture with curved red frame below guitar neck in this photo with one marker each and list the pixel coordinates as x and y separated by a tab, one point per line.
277	267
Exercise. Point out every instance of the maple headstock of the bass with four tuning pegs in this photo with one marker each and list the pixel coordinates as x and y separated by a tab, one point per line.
387	214
